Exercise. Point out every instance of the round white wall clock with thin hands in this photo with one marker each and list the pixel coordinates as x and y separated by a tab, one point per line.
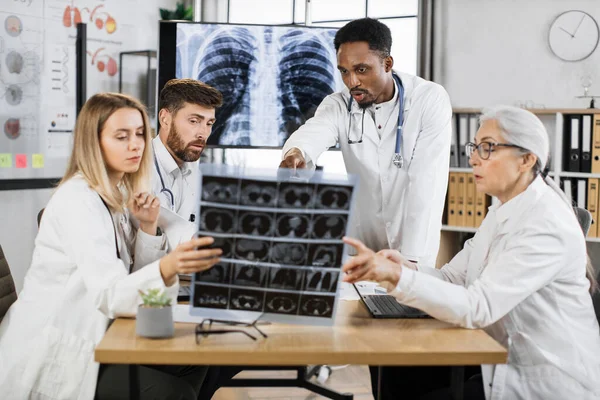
573	35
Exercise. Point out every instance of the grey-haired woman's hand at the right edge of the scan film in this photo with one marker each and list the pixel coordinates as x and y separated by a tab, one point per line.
368	266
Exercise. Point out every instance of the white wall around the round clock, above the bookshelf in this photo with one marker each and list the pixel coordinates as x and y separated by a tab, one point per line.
496	51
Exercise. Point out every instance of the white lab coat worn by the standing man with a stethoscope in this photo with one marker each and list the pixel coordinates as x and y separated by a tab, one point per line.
396	208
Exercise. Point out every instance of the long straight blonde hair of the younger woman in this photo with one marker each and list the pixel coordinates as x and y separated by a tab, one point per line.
87	158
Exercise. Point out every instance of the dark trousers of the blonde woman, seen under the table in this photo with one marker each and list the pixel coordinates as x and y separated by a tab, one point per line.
168	382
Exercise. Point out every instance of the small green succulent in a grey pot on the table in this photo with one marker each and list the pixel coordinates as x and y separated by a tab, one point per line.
155	315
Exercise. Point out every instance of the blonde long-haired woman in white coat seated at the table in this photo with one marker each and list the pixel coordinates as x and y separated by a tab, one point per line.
98	244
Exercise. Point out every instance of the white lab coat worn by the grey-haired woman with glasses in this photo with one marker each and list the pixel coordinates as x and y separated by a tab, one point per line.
522	279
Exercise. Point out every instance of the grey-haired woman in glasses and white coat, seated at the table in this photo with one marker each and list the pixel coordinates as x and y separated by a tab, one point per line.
522	277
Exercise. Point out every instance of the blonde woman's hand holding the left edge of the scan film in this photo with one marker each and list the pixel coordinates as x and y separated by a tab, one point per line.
187	258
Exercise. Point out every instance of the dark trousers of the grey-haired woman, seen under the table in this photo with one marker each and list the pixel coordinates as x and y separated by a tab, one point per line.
424	383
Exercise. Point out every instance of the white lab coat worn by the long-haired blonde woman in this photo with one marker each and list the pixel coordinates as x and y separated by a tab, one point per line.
74	287
